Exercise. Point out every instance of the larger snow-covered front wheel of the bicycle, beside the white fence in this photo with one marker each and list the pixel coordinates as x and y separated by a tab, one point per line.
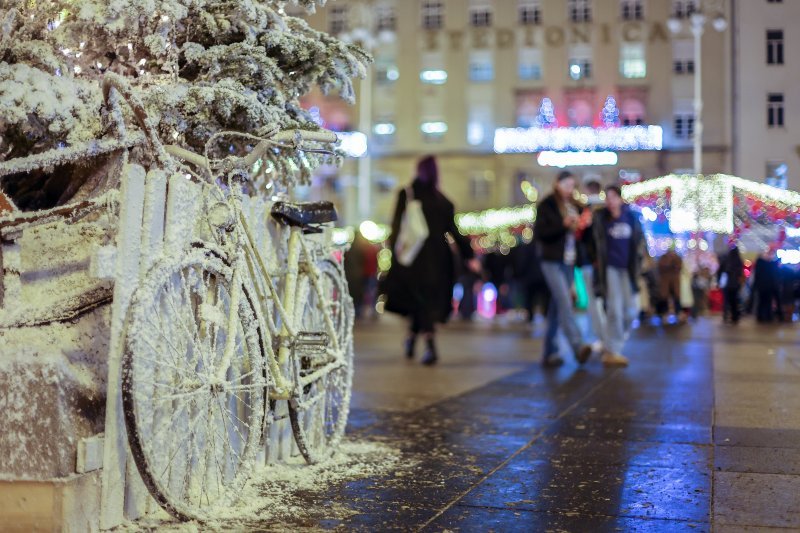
193	428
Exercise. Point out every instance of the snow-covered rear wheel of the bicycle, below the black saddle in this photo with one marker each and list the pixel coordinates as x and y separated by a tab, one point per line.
323	376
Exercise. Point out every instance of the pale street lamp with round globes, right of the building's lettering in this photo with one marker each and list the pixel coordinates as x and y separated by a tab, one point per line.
698	20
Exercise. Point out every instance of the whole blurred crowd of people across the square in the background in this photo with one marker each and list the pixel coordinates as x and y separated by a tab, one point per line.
588	254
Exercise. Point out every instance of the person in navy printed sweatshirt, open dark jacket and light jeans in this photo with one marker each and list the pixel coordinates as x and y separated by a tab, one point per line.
618	244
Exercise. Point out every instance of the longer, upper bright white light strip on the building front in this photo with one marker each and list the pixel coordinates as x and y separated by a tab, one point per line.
626	138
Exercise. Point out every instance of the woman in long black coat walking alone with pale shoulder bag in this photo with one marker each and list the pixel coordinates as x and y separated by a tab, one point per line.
423	291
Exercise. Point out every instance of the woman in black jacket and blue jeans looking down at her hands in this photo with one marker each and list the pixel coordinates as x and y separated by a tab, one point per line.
557	221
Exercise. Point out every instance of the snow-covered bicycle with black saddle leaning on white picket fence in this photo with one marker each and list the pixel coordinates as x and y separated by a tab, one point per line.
215	337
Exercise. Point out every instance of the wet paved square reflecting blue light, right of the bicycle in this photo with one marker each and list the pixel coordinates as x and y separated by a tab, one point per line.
700	433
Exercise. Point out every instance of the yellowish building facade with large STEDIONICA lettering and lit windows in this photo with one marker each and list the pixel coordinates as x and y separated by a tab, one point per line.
448	74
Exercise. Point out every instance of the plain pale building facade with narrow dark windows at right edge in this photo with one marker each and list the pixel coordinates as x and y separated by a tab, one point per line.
766	91
